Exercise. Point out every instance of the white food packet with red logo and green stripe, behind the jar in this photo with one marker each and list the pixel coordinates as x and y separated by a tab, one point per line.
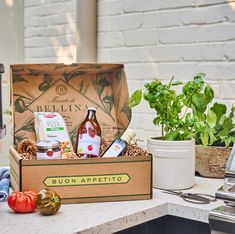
50	126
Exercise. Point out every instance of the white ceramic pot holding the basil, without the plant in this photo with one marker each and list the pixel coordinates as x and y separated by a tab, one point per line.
173	163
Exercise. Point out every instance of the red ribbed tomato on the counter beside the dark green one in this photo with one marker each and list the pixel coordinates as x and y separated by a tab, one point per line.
22	202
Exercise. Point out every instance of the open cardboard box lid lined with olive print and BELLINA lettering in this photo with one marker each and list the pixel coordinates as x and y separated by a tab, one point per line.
69	90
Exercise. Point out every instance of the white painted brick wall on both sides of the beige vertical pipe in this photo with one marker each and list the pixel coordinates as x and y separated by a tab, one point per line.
153	38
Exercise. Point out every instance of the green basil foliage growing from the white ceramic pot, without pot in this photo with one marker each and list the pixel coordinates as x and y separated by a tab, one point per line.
176	113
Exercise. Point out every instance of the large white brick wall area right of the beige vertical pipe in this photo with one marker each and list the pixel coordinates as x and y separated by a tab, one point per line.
162	38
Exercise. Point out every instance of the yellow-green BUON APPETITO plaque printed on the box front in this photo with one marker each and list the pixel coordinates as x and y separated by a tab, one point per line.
58	181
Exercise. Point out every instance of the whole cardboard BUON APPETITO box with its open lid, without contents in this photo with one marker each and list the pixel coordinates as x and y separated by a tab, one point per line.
69	89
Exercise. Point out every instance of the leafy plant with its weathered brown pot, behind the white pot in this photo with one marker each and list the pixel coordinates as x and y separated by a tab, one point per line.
215	134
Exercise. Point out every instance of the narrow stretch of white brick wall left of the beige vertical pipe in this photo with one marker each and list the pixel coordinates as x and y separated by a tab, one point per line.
50	31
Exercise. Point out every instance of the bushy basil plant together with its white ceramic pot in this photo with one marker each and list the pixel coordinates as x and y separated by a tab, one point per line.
174	151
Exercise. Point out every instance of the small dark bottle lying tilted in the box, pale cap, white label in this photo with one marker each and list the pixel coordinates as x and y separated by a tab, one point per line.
118	146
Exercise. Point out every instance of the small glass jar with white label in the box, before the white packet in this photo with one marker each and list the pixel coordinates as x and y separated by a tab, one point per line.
48	149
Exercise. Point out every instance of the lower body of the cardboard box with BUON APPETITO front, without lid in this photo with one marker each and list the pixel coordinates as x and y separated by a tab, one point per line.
85	180
